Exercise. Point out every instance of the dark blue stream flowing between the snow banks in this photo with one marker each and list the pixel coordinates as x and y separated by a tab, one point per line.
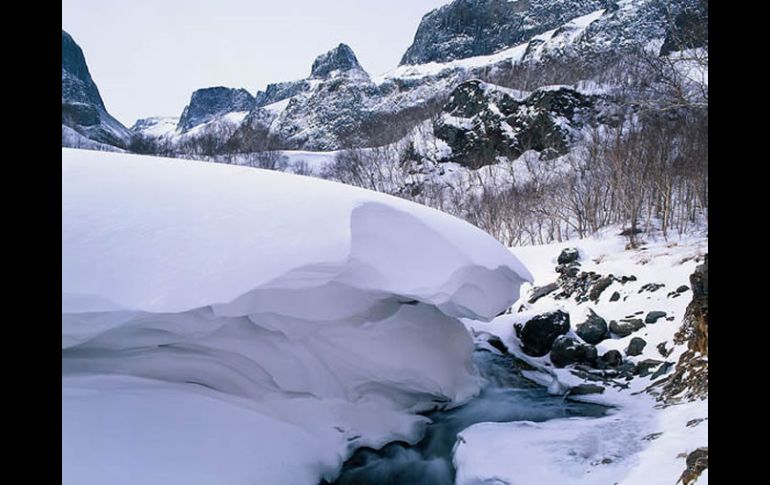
507	397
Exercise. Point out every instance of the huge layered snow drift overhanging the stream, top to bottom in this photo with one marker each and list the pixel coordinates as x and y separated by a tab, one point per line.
231	325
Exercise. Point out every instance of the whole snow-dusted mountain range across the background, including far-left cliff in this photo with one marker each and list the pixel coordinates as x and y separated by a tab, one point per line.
339	105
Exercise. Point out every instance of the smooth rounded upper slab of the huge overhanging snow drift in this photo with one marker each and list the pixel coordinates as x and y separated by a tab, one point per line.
163	235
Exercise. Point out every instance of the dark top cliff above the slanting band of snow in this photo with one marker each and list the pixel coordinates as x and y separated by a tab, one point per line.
468	28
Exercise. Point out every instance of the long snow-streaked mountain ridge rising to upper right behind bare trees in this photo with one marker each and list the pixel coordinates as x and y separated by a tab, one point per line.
339	105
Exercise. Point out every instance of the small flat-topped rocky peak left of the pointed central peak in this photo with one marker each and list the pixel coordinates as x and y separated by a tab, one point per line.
209	103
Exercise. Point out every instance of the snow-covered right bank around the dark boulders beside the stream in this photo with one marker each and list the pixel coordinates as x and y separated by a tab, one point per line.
639	442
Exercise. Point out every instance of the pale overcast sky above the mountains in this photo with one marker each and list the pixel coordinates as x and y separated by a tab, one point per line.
148	56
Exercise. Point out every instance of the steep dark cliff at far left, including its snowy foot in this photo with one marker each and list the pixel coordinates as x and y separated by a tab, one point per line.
83	109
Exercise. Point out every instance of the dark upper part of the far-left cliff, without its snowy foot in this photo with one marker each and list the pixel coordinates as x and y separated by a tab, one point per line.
77	85
